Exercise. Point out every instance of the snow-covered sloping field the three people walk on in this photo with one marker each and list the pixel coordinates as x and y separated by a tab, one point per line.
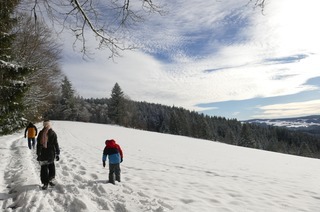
159	173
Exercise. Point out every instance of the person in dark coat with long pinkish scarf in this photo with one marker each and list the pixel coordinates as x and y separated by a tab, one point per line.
47	151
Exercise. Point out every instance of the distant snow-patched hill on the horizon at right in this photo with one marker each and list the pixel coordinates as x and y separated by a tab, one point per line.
309	124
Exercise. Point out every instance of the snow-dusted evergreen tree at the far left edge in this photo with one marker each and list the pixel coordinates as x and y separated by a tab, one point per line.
12	85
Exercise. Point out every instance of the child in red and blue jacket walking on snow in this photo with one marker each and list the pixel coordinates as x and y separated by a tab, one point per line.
114	153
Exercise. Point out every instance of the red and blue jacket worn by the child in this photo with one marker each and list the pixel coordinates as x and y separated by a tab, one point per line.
113	151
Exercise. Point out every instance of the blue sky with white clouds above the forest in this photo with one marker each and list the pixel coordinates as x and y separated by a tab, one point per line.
222	58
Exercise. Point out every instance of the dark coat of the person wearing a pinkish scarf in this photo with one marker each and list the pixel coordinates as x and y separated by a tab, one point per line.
48	154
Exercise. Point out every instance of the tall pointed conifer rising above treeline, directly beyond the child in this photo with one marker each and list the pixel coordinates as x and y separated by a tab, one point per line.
116	105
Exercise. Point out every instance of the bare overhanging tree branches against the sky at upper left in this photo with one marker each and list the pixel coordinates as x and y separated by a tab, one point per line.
106	19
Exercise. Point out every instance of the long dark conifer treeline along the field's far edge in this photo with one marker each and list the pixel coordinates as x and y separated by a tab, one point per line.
179	121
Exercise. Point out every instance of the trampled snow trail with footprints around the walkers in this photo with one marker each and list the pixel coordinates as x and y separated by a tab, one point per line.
78	189
